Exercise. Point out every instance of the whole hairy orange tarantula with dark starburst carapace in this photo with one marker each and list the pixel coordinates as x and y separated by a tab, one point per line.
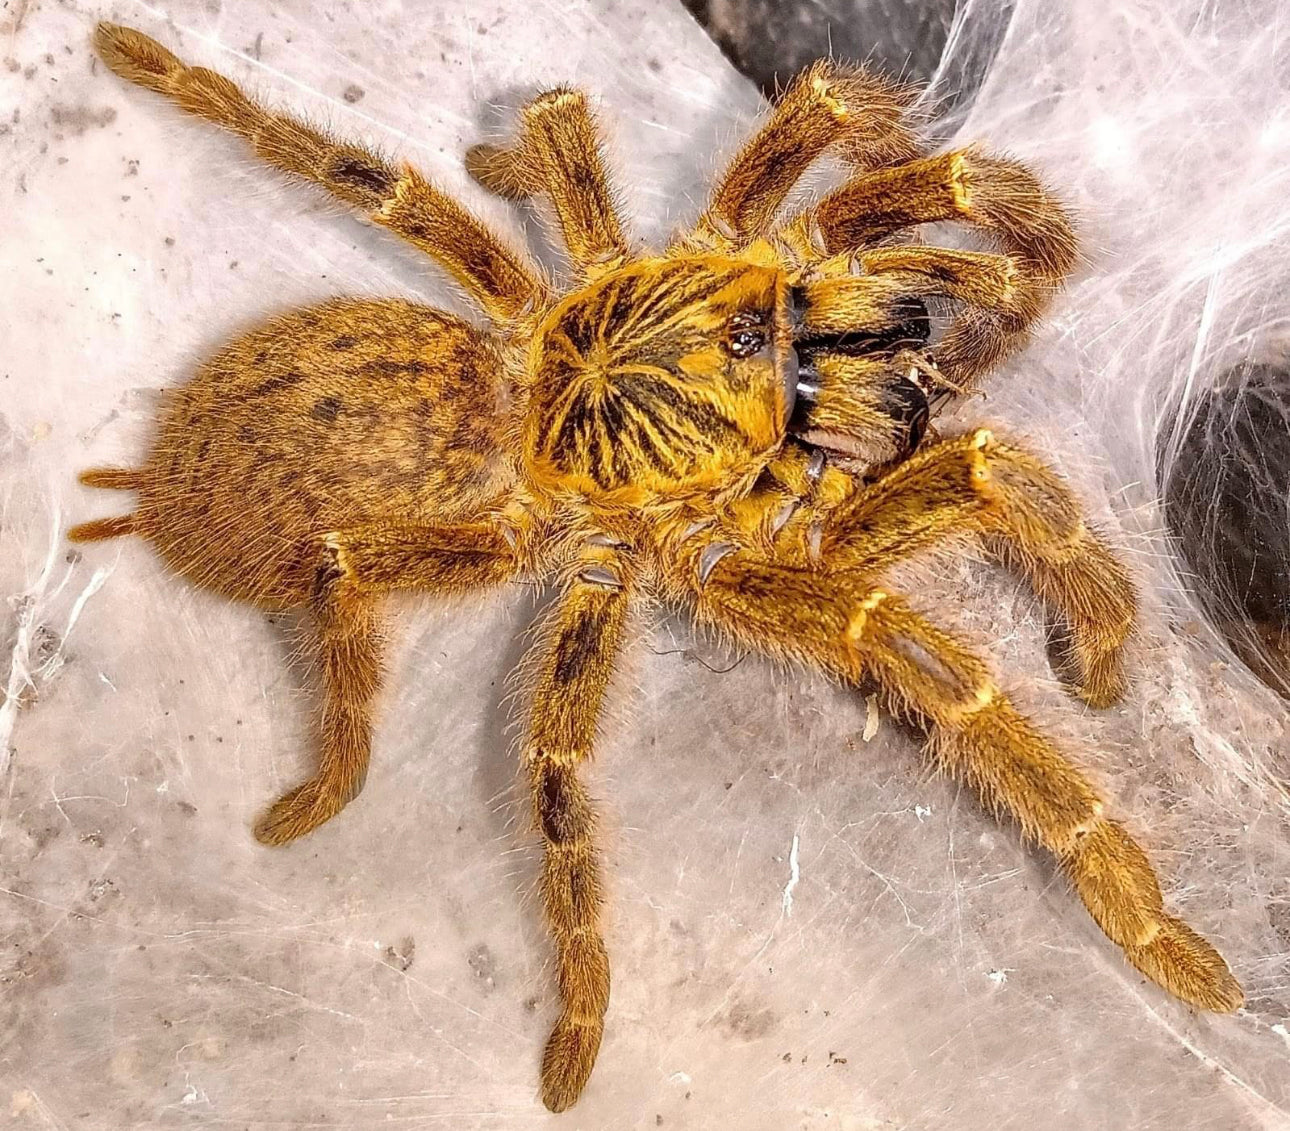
735	428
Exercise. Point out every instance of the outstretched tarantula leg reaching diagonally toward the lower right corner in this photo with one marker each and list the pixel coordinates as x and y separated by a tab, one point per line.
853	630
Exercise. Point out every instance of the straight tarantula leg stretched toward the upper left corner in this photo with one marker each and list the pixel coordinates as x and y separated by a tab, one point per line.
398	199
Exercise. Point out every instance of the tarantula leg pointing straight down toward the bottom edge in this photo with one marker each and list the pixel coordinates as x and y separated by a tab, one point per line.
577	658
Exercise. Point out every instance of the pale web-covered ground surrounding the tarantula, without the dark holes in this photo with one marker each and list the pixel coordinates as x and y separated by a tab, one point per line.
808	929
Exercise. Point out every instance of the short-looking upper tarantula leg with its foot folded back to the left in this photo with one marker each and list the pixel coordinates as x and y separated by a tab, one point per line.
559	154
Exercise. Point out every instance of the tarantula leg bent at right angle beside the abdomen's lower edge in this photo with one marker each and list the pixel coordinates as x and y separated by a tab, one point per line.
355	569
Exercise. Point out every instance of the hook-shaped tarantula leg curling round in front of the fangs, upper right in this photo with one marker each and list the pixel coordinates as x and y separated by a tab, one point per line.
1003	198
